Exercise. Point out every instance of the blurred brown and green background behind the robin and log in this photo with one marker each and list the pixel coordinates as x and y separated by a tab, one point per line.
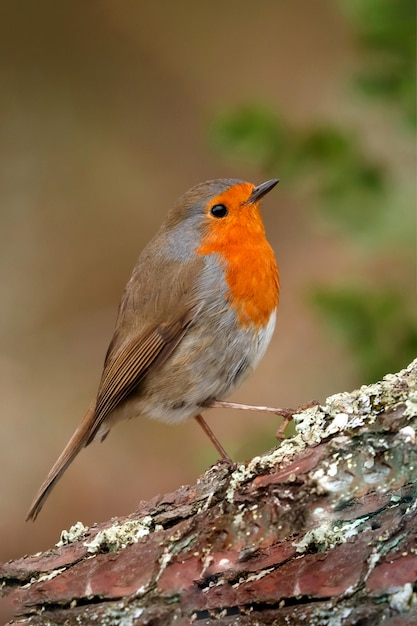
110	111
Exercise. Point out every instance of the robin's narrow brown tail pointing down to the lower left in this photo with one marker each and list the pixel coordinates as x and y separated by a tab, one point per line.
79	440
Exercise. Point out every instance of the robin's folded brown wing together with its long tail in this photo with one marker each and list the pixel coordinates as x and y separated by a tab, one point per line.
136	348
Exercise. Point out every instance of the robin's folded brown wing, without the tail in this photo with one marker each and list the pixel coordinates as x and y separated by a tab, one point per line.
153	318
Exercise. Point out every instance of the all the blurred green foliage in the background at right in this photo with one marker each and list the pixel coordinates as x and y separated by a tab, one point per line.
351	191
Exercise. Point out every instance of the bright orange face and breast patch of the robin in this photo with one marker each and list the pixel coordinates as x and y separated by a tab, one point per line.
249	261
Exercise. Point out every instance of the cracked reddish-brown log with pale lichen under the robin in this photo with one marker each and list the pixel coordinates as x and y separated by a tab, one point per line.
320	530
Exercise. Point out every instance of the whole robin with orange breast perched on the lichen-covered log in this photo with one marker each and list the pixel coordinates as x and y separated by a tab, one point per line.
194	321
